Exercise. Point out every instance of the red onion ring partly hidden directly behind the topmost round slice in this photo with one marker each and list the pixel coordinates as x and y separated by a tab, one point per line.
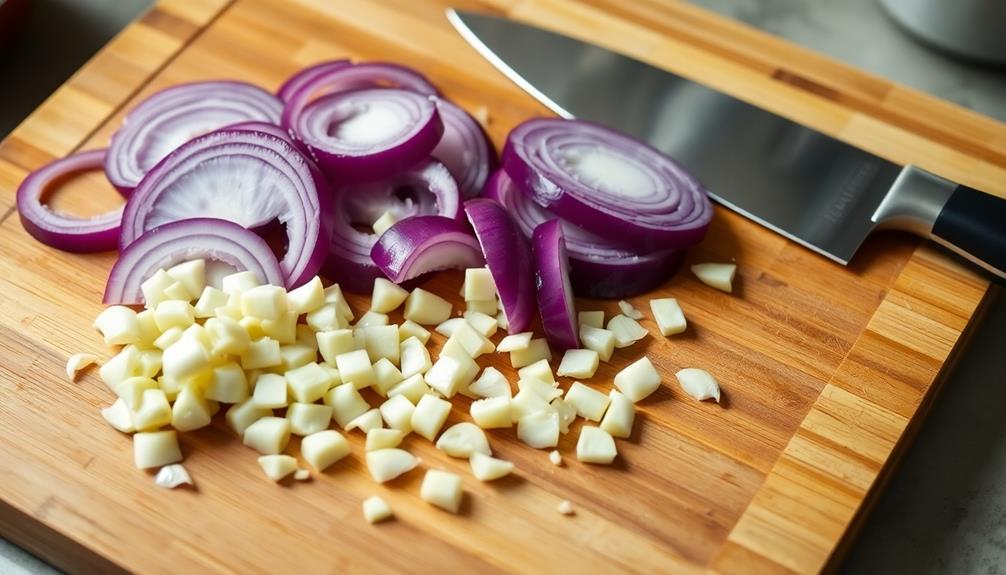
332	78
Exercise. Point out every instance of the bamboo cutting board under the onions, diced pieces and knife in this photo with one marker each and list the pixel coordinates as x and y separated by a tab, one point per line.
827	371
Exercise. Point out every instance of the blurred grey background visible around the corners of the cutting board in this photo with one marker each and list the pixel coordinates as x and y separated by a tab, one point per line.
945	510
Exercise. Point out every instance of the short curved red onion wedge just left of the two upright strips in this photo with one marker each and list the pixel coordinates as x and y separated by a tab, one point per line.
422	245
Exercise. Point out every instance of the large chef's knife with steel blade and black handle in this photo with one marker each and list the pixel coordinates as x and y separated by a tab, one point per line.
818	191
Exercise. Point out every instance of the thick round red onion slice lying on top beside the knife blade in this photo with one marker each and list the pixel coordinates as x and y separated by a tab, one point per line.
608	183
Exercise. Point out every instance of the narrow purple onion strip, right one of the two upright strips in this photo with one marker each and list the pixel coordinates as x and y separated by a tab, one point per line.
559	314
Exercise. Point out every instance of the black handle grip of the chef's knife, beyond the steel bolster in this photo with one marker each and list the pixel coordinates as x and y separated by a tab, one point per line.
973	225
